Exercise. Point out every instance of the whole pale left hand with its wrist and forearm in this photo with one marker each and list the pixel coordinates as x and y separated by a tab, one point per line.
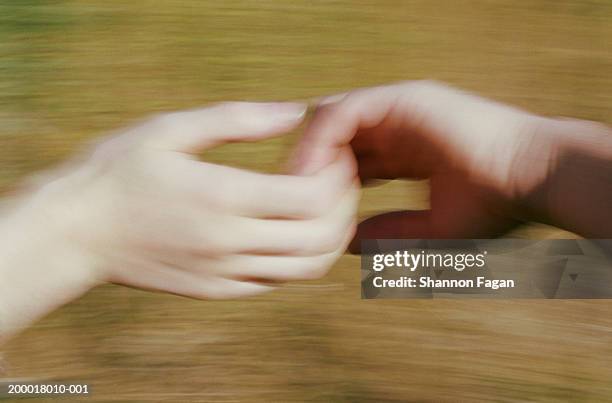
140	209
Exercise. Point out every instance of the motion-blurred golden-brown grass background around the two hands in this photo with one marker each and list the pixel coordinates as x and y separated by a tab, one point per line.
71	70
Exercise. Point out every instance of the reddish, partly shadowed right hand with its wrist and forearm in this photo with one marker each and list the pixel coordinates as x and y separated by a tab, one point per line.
490	166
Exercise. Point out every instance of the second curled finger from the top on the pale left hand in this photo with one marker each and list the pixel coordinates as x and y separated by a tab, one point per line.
296	237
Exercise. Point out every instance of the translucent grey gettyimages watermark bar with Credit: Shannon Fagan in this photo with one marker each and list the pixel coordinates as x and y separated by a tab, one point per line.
486	268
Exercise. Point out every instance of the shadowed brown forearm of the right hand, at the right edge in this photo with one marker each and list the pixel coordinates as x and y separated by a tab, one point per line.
577	194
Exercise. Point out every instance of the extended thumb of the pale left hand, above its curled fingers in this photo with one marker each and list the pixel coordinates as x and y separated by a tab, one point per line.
195	130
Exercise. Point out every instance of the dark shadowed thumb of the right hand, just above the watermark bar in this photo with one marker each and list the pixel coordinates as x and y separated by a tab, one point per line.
394	225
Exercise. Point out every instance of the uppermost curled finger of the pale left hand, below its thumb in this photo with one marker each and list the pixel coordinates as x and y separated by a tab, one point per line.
251	194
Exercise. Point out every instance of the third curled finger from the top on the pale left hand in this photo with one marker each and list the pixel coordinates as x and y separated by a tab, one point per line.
282	268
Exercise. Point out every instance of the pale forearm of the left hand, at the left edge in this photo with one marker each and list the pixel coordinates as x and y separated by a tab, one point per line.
40	267
